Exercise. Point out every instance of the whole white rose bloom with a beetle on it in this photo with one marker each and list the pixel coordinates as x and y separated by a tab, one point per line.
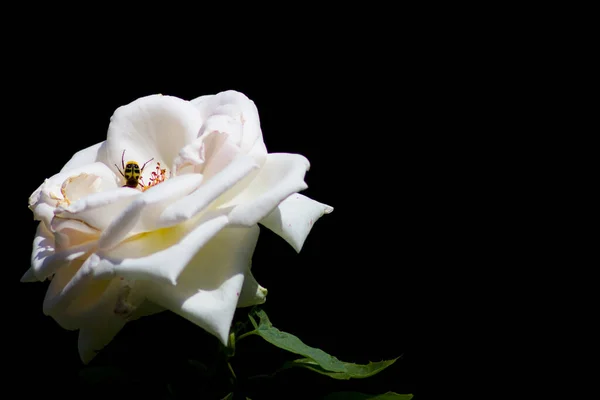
180	236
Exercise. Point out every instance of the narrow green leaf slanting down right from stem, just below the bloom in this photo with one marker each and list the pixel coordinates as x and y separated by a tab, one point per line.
293	344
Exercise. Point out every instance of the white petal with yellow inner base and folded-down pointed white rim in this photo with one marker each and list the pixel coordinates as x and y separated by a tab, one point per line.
161	255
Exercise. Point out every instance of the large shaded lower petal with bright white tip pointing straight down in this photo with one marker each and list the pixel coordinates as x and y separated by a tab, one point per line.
208	289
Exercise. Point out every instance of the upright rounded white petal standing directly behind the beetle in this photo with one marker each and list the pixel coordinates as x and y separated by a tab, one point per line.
155	127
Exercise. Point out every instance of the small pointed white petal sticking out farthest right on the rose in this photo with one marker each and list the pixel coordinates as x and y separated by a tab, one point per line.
294	218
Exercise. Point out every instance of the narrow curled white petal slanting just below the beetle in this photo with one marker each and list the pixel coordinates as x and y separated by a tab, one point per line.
143	213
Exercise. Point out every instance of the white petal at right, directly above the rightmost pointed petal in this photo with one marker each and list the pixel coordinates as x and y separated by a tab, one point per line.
282	175
